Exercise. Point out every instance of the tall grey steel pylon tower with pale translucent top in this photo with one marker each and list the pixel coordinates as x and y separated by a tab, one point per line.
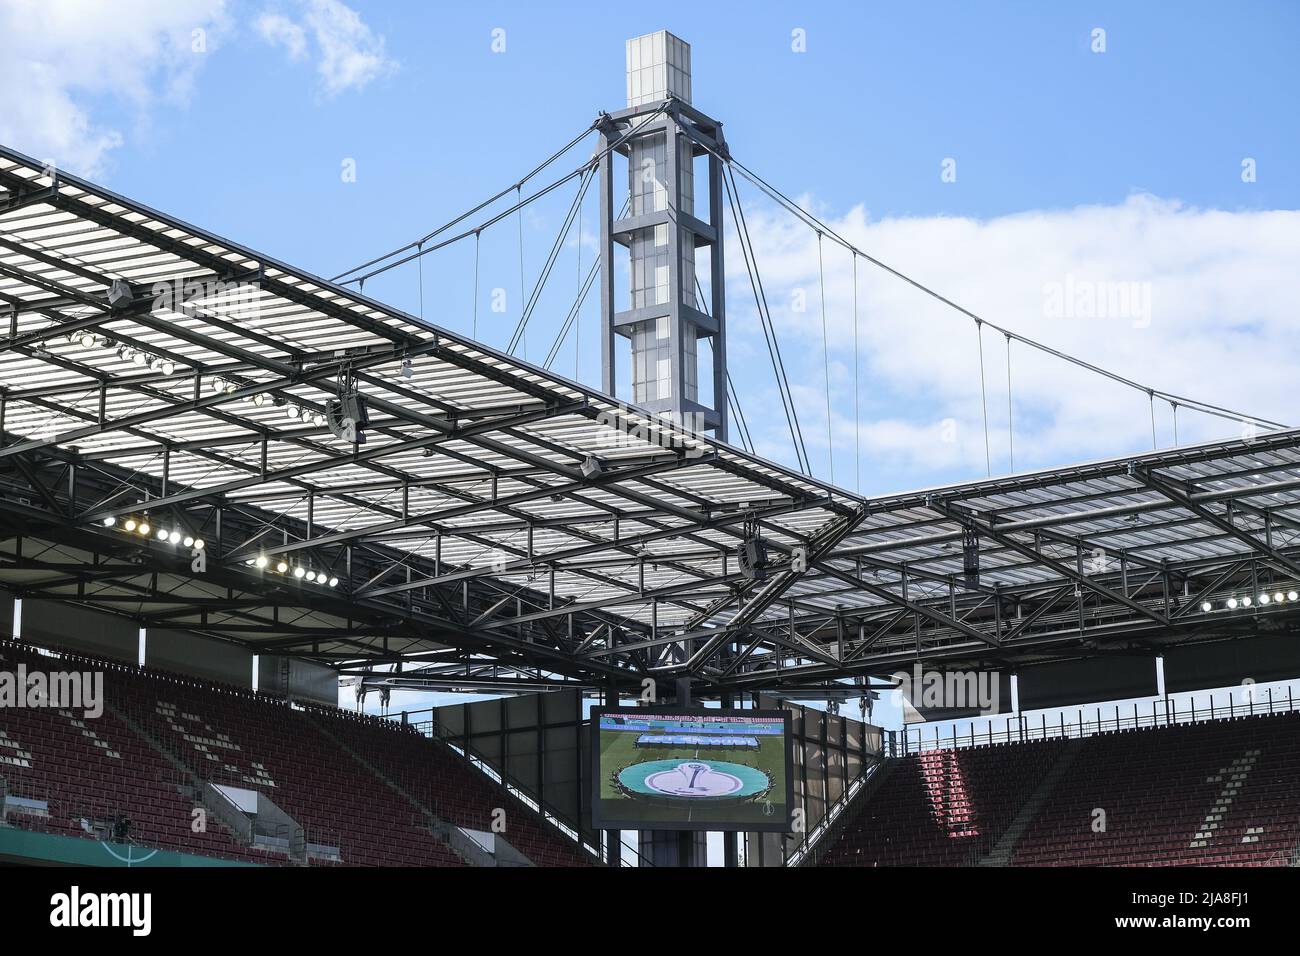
655	226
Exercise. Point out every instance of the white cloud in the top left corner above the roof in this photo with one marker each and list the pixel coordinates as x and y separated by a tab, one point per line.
60	54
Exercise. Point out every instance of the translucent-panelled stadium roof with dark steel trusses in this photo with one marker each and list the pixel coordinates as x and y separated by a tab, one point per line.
504	526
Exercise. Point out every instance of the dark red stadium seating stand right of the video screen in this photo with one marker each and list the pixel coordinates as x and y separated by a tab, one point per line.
1219	793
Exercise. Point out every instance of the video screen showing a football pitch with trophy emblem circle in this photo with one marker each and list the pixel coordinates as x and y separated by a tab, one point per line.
690	769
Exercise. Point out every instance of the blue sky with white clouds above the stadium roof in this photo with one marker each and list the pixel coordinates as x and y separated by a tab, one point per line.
1116	167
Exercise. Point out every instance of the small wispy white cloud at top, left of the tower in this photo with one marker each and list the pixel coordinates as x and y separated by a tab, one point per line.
349	55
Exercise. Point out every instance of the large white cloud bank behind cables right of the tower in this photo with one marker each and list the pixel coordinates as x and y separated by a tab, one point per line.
1220	327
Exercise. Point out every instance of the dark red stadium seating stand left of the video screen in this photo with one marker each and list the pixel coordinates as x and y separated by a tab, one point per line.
366	786
